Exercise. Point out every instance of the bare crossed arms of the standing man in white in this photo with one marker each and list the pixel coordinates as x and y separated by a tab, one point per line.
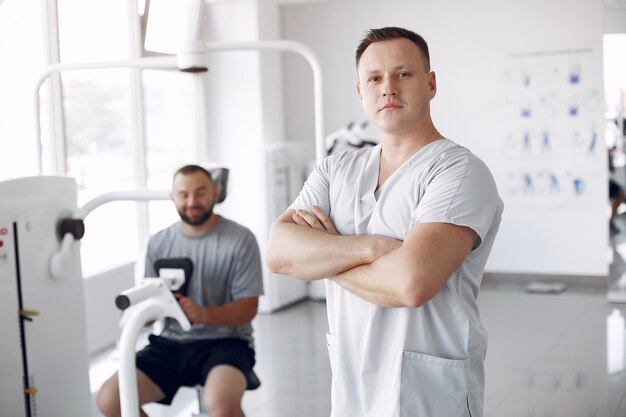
384	271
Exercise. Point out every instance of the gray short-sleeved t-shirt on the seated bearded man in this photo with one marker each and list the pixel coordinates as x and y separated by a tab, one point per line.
226	267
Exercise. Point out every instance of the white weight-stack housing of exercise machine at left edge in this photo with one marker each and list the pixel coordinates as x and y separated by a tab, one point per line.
44	364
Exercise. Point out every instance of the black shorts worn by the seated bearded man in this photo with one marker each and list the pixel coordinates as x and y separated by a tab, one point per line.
171	364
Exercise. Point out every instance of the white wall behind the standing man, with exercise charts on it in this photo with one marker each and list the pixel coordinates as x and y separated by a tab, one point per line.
472	45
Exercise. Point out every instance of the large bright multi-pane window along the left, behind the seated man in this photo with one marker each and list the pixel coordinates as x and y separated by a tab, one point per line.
103	151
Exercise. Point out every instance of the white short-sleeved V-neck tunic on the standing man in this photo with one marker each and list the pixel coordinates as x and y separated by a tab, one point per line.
406	362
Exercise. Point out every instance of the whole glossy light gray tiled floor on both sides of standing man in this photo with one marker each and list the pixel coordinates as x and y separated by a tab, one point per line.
549	355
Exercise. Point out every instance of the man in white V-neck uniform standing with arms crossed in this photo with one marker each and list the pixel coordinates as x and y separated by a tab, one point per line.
402	231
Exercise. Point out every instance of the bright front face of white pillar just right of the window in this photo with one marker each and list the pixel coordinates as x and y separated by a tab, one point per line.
235	119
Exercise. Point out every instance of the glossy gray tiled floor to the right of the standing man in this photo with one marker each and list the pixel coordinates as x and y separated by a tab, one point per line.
547	353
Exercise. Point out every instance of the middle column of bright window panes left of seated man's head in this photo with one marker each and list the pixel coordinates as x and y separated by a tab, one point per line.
100	154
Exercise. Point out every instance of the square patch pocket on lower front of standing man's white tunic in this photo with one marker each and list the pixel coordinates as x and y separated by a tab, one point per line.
433	386
